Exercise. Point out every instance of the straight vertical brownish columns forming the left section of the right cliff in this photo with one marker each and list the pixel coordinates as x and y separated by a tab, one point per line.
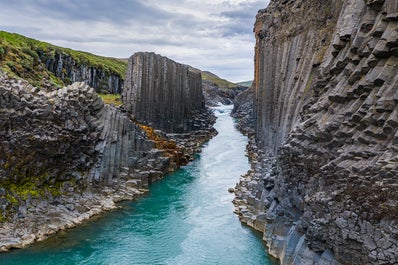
292	38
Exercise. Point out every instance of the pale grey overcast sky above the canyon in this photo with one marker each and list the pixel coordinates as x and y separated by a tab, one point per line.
213	35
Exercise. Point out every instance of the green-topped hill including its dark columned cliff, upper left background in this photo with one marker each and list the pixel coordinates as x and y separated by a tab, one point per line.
39	62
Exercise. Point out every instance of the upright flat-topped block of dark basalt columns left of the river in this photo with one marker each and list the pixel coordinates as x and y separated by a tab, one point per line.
172	90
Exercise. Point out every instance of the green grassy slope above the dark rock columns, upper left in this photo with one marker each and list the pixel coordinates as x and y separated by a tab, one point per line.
25	57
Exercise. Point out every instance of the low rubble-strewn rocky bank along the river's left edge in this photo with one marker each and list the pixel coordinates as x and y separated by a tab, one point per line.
44	216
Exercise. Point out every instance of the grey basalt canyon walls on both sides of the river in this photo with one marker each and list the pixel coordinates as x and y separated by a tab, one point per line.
322	117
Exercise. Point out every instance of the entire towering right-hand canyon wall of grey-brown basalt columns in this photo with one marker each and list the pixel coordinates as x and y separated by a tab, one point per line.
324	185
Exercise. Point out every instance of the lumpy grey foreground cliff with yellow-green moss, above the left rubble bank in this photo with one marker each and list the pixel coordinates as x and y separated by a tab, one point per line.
52	137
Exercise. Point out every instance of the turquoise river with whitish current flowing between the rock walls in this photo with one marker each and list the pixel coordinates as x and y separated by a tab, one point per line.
187	218
